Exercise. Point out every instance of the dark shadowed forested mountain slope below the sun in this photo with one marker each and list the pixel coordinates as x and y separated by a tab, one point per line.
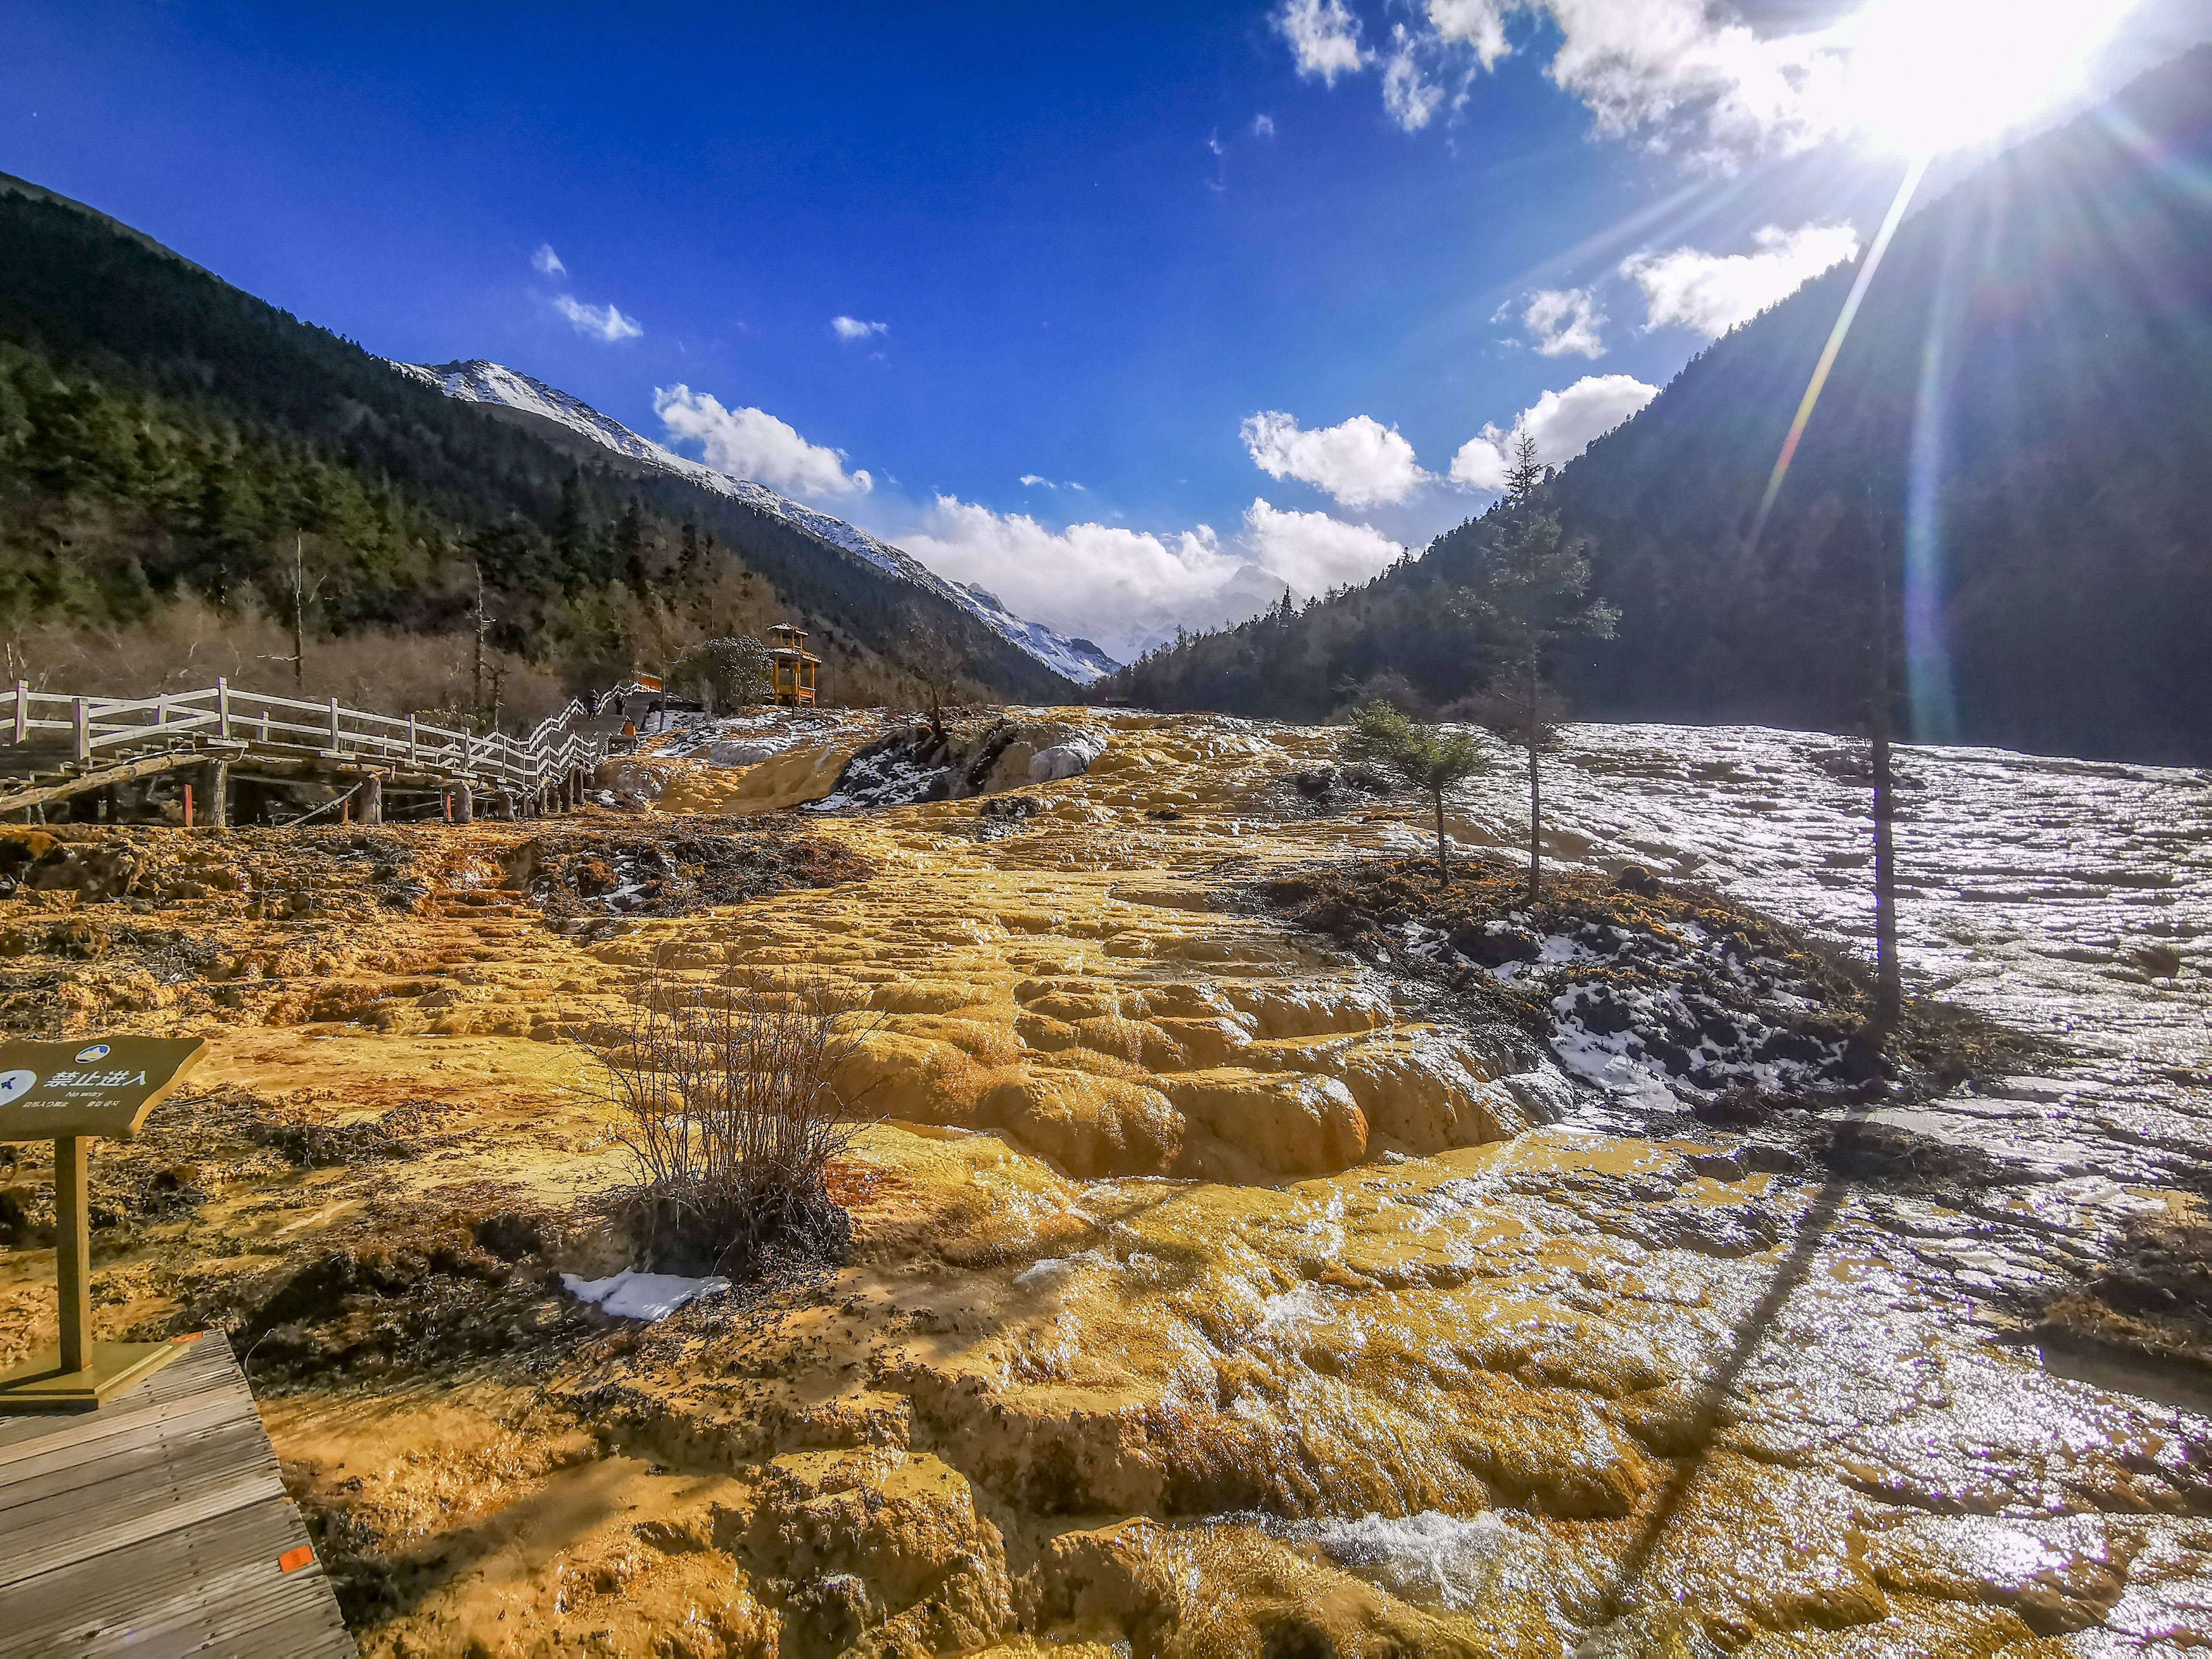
2021	421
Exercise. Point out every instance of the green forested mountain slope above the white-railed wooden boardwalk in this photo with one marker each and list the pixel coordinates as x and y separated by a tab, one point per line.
165	435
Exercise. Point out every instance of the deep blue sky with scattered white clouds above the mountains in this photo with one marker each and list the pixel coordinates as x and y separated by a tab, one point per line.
1238	289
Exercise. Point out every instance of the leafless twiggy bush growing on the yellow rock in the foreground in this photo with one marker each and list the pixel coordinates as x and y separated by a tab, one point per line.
733	1103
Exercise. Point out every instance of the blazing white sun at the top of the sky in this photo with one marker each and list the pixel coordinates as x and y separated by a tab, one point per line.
1934	74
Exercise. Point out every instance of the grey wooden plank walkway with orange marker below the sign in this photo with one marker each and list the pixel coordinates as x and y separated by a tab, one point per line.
158	1527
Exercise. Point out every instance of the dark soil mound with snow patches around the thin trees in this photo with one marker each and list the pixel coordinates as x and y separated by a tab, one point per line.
1631	981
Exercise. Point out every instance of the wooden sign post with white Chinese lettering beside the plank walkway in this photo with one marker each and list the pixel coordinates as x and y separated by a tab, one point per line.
67	1094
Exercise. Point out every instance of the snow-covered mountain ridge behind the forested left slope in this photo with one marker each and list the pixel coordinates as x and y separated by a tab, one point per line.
534	404
